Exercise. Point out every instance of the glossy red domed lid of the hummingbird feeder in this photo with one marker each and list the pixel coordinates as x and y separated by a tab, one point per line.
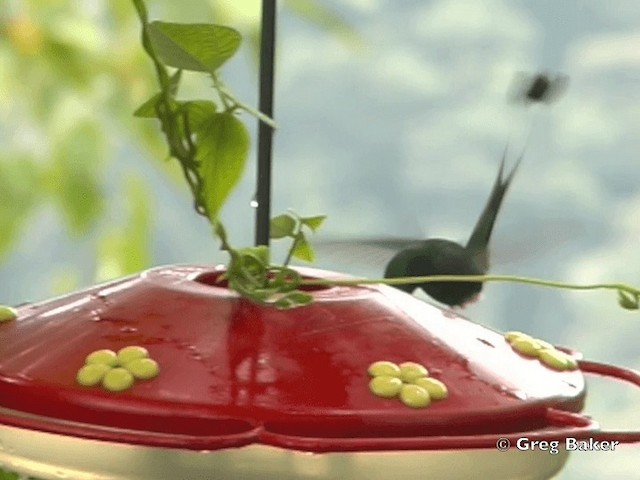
234	373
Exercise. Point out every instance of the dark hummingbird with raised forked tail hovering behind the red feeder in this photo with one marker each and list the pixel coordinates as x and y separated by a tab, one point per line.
438	256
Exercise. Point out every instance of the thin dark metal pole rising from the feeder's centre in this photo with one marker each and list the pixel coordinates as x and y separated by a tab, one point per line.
265	132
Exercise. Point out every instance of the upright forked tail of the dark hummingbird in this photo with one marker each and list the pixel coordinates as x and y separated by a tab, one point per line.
478	244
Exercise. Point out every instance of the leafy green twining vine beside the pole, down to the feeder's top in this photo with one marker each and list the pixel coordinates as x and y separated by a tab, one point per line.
211	148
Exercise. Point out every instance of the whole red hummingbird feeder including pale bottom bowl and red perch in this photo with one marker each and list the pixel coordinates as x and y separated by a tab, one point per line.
246	391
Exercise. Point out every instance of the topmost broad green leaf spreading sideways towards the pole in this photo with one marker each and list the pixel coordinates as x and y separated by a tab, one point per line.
196	47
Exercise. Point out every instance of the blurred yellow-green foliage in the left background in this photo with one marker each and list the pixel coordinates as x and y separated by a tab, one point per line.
71	75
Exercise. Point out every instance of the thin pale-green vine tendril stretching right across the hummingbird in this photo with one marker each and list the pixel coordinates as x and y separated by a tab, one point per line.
473	278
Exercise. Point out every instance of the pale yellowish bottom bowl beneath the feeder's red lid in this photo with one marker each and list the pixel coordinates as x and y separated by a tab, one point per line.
49	456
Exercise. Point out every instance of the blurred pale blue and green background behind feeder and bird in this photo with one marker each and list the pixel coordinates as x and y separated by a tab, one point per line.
392	120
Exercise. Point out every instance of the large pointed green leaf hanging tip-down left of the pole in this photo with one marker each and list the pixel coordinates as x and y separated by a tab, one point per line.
223	145
